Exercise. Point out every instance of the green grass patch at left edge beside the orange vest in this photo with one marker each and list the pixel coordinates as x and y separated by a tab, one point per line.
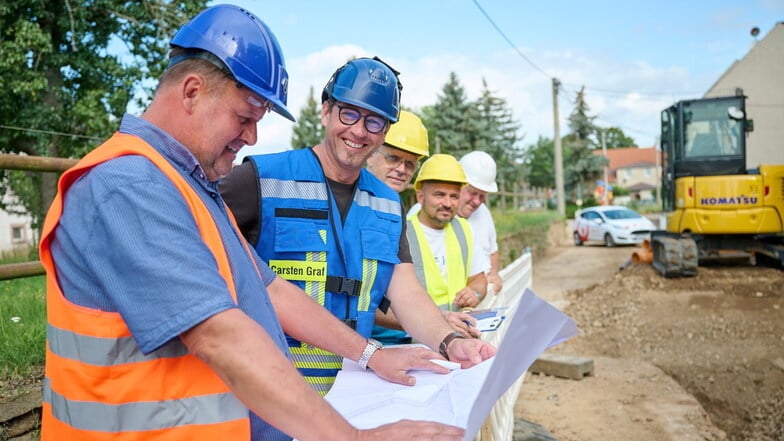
22	326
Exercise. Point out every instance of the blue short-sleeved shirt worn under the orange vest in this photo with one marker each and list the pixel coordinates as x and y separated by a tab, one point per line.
127	242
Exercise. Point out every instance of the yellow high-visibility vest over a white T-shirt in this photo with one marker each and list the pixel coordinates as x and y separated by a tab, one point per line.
458	243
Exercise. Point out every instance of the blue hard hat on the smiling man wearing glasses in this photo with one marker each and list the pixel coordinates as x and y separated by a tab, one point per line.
368	83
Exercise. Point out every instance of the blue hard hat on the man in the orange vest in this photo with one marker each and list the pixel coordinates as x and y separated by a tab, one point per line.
245	45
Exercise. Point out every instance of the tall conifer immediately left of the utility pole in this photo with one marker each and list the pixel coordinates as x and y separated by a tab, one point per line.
498	134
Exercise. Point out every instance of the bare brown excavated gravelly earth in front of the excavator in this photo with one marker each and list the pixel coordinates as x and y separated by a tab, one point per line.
719	334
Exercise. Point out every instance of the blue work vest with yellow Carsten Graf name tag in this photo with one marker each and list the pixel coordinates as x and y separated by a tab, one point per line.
346	267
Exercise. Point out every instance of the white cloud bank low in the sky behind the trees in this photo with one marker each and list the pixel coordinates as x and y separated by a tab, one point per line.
623	94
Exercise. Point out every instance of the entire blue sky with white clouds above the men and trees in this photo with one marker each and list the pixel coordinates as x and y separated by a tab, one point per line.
634	58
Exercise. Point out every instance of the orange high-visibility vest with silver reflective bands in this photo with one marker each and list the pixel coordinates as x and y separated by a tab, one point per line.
98	385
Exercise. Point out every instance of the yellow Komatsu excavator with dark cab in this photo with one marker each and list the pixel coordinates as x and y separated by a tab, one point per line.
716	207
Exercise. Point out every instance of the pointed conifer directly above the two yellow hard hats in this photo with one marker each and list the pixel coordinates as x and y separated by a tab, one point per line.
450	121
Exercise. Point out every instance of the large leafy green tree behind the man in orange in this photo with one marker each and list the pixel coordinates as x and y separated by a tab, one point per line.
69	69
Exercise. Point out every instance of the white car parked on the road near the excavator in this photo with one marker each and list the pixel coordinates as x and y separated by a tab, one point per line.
611	224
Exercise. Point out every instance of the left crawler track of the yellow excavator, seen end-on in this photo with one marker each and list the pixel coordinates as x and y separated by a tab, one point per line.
675	256
